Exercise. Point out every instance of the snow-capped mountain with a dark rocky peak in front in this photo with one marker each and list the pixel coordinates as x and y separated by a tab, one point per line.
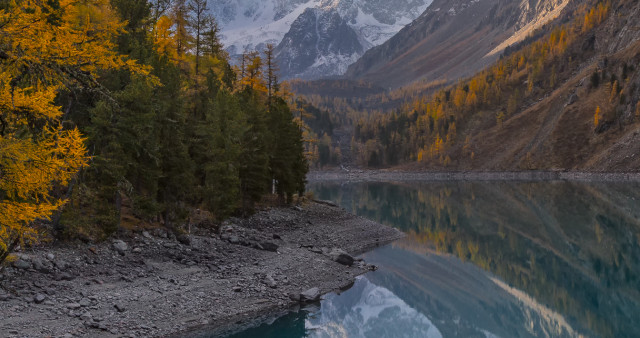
323	36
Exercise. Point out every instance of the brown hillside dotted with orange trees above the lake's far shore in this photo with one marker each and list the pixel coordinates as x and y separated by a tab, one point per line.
568	100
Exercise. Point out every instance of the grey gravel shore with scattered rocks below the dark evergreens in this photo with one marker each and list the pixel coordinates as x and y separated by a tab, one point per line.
151	283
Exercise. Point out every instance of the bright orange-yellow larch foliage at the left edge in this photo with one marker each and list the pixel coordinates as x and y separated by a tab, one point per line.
46	47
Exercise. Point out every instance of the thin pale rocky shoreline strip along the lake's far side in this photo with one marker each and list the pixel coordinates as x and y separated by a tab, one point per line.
409	175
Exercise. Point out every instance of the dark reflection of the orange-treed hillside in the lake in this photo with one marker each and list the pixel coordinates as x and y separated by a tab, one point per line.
572	248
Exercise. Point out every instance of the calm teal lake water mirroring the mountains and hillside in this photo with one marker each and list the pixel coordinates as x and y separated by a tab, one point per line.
486	259
